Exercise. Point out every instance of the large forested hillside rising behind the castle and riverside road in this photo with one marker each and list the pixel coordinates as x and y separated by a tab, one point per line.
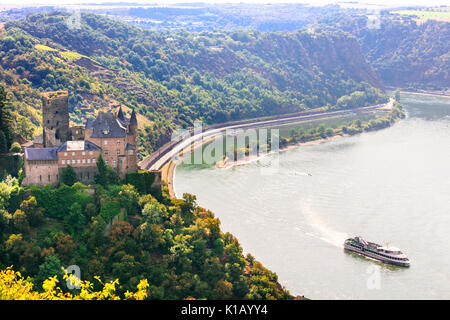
172	79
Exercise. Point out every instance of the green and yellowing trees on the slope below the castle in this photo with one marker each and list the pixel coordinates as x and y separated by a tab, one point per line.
119	233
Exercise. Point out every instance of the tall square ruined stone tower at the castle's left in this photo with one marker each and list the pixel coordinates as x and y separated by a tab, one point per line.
55	118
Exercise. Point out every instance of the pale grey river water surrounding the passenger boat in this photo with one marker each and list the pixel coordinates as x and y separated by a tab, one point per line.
389	186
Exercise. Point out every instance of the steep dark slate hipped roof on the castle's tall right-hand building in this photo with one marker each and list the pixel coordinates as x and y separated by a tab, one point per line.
108	126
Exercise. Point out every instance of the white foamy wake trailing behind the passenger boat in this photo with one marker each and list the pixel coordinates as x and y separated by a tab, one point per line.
321	230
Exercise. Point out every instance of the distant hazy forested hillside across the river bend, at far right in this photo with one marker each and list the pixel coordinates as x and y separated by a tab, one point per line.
406	53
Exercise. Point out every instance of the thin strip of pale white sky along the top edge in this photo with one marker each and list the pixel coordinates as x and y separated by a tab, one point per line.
21	3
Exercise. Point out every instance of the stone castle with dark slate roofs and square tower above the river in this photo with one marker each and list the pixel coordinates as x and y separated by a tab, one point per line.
112	135
